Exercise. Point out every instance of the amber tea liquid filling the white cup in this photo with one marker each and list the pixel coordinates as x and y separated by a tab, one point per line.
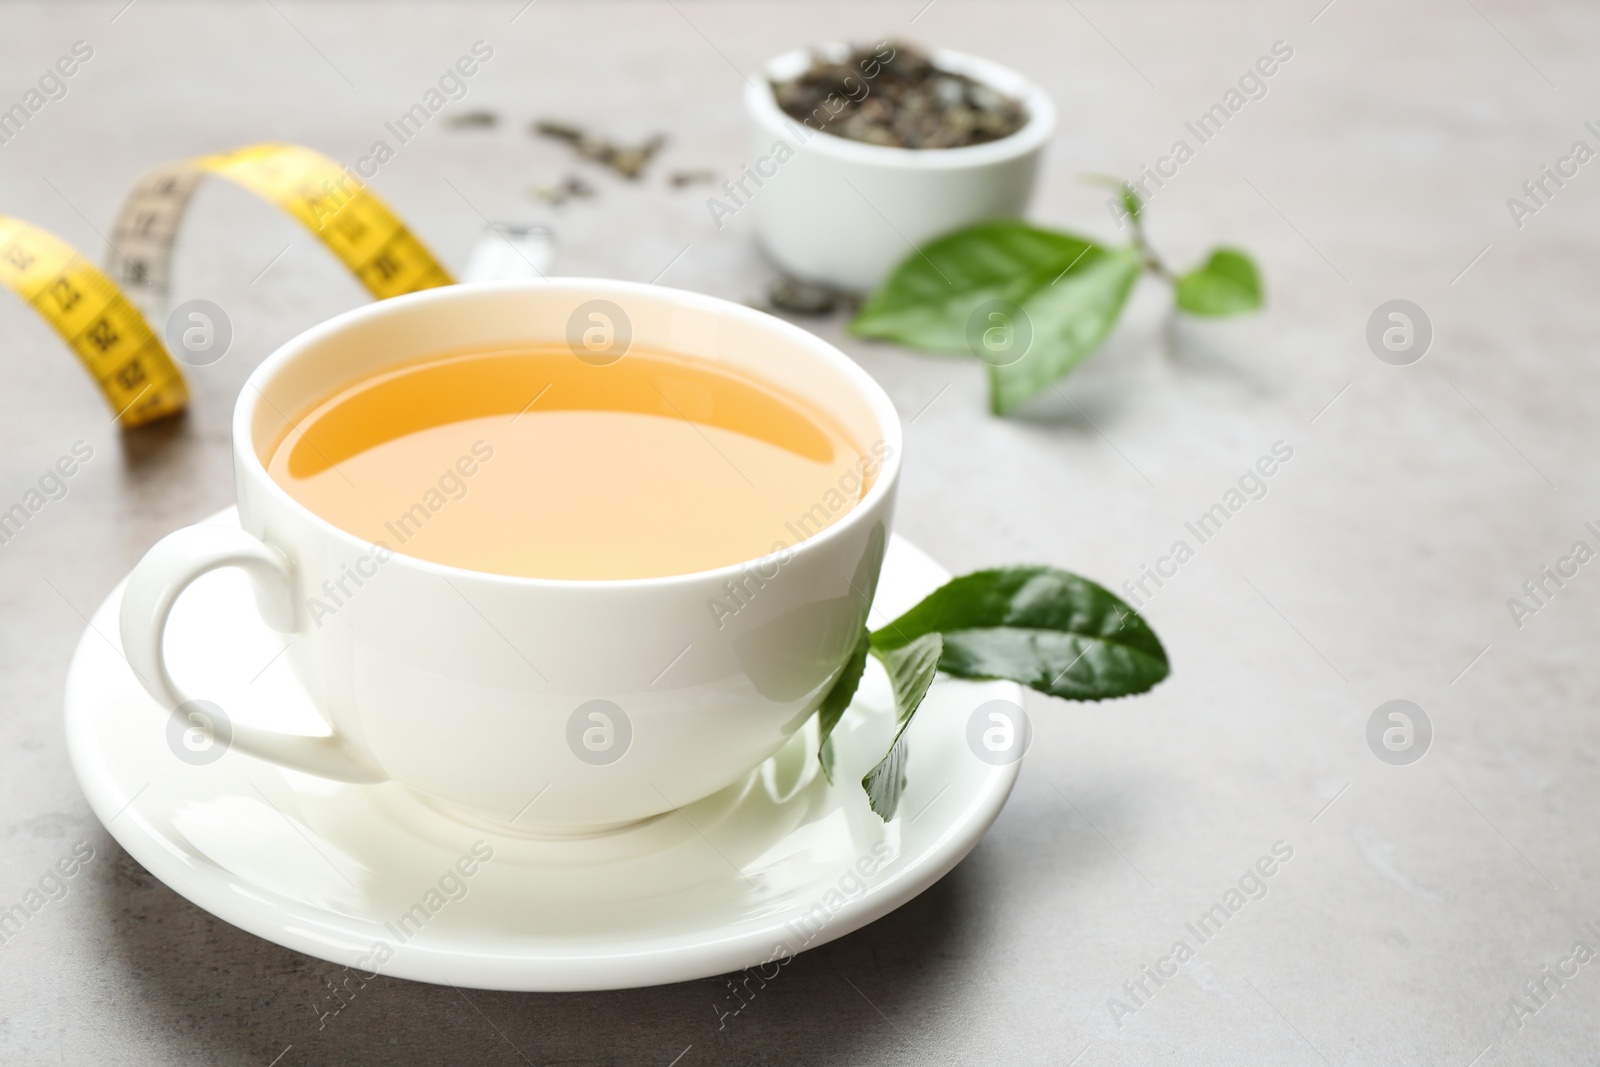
534	463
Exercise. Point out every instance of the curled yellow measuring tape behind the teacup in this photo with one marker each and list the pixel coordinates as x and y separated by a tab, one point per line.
103	322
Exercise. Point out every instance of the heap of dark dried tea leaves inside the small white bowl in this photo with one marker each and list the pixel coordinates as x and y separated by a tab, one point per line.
894	95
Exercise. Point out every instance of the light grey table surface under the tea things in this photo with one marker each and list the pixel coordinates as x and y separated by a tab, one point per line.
1420	498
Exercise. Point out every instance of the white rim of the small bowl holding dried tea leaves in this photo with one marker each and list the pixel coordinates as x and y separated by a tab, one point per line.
1036	132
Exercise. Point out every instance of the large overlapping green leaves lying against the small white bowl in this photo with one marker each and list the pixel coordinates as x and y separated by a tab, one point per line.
1057	298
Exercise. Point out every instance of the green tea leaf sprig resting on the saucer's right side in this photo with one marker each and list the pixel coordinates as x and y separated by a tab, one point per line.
1044	628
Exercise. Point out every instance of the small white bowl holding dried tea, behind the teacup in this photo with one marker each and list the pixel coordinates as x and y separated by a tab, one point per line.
844	214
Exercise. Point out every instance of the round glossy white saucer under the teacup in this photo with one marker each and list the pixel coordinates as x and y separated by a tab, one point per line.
743	879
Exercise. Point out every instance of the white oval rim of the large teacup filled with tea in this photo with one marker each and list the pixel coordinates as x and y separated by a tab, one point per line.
879	402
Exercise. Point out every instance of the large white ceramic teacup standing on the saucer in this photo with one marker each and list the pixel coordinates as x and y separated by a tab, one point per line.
535	705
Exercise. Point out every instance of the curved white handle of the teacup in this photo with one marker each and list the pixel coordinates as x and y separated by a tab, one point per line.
148	601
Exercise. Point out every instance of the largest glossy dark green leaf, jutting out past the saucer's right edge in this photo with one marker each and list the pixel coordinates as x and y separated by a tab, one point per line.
1039	626
